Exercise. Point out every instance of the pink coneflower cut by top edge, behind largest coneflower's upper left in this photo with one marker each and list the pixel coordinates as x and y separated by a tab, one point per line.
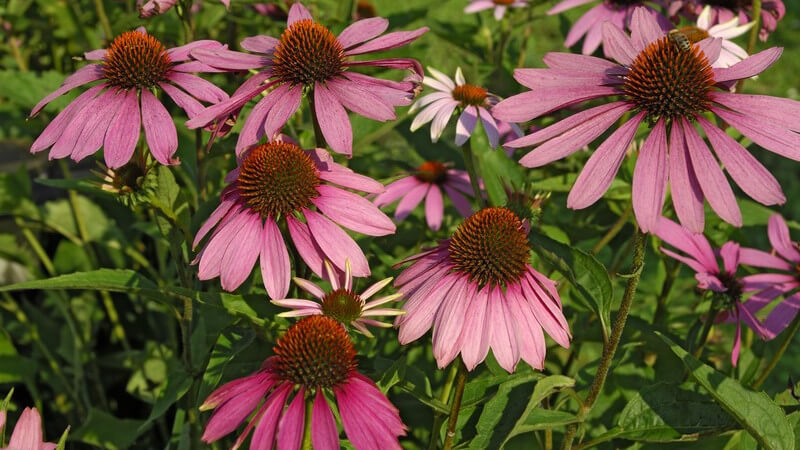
590	25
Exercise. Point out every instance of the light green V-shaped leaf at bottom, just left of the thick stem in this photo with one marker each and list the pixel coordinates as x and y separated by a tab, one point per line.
534	417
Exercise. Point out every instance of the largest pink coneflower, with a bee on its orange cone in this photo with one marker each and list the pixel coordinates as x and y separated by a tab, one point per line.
671	89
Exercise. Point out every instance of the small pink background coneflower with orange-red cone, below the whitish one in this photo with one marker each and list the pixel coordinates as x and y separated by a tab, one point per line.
427	183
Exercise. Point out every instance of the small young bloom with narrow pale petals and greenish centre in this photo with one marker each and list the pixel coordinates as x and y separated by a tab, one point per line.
343	303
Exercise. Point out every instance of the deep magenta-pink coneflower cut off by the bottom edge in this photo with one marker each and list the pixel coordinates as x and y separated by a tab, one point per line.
317	357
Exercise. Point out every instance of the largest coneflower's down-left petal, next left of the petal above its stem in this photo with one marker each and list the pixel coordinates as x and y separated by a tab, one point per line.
598	173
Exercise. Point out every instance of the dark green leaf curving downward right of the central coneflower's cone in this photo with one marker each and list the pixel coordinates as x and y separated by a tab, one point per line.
588	276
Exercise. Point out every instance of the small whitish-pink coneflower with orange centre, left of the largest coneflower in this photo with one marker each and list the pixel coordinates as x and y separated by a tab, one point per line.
472	102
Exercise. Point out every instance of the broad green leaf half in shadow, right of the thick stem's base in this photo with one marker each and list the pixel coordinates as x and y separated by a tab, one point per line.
667	412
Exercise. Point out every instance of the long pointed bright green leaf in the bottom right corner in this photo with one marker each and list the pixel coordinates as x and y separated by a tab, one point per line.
754	411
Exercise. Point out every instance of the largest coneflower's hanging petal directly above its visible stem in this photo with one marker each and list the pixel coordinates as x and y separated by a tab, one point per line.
650	178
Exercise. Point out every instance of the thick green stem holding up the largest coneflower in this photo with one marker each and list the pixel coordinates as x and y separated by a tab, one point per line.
610	348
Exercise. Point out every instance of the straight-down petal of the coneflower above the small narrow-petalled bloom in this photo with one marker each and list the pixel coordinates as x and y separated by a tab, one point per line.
276	269
